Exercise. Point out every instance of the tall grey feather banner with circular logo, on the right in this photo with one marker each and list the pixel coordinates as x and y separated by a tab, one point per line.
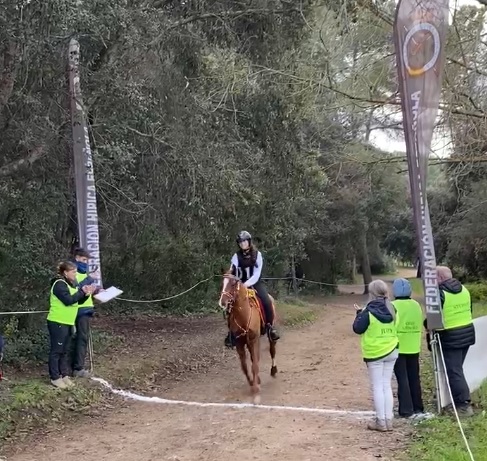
420	29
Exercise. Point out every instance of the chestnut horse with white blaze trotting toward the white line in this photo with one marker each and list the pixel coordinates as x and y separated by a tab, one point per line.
246	322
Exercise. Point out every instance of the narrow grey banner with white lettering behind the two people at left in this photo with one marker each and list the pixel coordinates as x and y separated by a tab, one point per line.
88	233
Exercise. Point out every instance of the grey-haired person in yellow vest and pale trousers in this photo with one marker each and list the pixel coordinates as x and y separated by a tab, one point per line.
376	323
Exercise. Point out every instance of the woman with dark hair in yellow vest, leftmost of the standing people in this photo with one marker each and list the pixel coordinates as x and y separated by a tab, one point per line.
63	308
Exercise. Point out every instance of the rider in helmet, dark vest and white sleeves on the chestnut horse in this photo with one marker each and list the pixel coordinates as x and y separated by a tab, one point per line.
247	265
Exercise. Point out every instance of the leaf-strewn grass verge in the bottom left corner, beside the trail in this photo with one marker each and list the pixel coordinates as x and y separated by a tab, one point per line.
27	404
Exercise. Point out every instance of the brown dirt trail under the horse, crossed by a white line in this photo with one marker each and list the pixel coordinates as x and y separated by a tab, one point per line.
319	366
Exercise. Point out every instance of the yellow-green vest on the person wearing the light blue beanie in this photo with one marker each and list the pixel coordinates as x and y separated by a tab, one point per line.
409	325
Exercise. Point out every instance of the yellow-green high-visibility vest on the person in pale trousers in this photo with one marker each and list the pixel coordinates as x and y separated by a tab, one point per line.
379	340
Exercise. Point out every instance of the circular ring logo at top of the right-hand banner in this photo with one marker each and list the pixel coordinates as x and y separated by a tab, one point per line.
421	48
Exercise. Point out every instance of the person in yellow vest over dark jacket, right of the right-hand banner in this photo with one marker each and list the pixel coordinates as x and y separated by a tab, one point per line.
457	335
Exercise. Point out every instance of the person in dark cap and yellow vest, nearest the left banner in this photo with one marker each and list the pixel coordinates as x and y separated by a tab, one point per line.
85	314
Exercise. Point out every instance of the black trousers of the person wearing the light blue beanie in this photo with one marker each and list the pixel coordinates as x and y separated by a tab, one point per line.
409	393
